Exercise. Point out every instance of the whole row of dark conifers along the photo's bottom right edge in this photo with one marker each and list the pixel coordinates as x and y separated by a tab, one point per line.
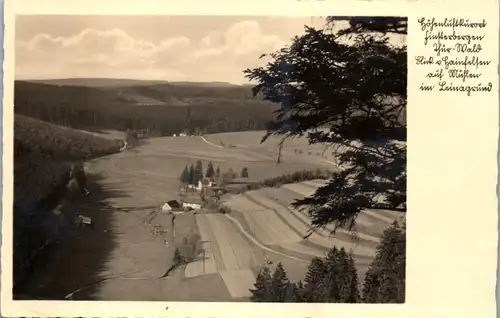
334	278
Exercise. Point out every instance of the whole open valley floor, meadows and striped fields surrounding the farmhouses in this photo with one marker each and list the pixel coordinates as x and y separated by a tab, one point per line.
128	252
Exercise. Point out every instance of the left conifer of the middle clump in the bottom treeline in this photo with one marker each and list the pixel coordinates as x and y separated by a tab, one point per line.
314	289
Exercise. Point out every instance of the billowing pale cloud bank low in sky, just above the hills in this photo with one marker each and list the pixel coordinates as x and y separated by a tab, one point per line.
219	55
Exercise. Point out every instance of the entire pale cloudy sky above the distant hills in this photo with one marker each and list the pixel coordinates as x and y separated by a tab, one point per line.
173	48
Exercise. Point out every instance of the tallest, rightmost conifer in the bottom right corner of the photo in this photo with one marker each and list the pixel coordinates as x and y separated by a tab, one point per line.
385	278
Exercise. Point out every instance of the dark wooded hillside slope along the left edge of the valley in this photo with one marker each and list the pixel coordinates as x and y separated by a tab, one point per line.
42	155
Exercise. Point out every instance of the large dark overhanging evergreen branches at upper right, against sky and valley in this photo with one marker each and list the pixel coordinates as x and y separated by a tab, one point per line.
331	86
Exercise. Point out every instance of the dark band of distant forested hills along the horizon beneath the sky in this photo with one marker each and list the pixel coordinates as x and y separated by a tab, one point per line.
163	108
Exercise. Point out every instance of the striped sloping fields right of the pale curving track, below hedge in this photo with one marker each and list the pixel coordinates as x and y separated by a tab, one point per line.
267	215
